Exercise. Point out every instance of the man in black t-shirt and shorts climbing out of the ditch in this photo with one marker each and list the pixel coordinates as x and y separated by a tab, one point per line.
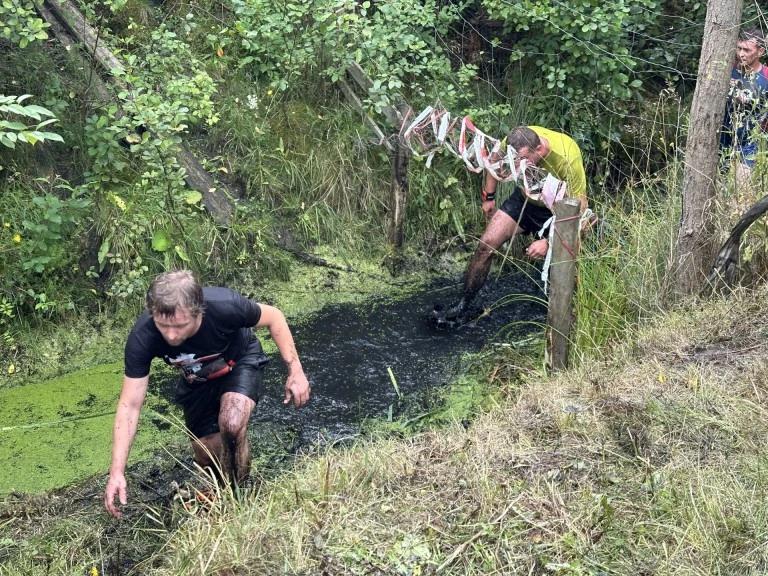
206	333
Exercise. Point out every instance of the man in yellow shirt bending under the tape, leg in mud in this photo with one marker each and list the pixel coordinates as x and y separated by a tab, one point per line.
523	212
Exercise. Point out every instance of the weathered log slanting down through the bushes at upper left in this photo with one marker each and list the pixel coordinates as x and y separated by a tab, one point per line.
217	202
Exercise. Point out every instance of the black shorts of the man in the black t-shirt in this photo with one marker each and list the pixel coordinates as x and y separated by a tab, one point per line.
201	400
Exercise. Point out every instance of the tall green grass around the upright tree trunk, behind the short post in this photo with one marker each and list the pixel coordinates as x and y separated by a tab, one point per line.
623	279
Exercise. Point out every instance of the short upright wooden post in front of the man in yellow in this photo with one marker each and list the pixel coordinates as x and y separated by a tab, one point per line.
562	282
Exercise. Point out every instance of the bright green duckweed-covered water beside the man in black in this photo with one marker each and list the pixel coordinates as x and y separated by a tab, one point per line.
56	432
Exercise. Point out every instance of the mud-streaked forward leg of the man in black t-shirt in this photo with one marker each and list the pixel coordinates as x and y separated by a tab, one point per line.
234	414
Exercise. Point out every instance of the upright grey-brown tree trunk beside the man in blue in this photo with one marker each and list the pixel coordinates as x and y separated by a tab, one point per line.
695	238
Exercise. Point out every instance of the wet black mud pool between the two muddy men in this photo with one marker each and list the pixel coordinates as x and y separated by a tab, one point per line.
348	352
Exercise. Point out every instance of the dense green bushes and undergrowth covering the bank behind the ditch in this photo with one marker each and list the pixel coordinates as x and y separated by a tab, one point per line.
251	88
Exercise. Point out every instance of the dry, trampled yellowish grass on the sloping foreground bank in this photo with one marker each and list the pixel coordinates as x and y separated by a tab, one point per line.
649	462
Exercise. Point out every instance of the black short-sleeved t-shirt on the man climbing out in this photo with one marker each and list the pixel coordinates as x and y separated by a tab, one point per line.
224	335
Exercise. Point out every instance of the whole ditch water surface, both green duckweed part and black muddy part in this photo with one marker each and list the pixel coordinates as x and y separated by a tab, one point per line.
364	361
